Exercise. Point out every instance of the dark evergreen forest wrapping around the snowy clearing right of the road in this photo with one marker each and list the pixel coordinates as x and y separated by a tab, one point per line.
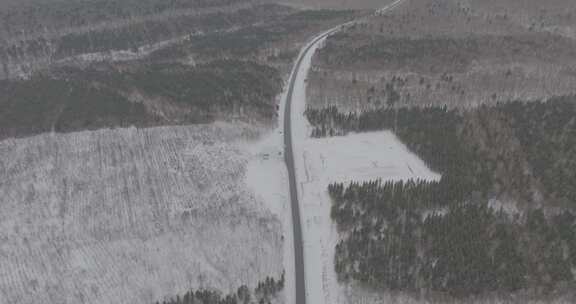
449	236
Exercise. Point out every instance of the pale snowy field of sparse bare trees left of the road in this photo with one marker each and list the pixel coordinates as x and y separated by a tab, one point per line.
132	216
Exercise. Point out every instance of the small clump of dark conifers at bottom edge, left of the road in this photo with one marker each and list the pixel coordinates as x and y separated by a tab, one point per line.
263	294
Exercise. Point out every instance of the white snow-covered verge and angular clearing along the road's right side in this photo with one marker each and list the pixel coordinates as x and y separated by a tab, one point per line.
318	162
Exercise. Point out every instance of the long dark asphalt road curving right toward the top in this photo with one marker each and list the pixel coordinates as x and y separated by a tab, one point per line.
300	282
